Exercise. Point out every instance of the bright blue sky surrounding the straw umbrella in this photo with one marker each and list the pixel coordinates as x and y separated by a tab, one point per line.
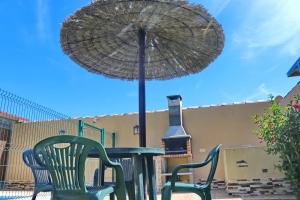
262	41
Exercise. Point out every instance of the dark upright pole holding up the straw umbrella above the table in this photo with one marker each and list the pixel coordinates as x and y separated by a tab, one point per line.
142	104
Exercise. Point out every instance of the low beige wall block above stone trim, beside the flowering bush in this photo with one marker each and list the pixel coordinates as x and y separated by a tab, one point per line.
256	160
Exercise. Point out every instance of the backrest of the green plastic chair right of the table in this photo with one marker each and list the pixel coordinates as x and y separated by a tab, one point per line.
213	157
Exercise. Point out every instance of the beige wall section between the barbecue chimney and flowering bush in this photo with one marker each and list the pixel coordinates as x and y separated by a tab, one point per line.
230	125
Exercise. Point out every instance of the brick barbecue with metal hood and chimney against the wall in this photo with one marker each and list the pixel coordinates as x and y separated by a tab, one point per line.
177	145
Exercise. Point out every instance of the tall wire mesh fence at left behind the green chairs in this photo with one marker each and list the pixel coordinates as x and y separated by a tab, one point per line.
22	124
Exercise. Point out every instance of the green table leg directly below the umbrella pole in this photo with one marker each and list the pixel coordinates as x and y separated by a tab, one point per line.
138	177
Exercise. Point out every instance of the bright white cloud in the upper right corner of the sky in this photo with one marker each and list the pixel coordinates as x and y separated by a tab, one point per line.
269	24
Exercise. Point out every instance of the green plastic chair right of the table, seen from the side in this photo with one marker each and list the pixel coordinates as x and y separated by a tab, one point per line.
203	190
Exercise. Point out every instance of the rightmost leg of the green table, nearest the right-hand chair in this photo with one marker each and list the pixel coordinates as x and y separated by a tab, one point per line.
151	178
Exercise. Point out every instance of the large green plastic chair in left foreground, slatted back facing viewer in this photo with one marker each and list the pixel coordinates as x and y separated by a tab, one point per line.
65	157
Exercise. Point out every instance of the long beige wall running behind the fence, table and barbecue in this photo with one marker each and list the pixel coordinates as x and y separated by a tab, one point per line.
230	125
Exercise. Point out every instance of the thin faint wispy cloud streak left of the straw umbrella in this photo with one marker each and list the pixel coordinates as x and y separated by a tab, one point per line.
43	20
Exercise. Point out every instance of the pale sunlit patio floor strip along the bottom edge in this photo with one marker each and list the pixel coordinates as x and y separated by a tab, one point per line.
216	194
